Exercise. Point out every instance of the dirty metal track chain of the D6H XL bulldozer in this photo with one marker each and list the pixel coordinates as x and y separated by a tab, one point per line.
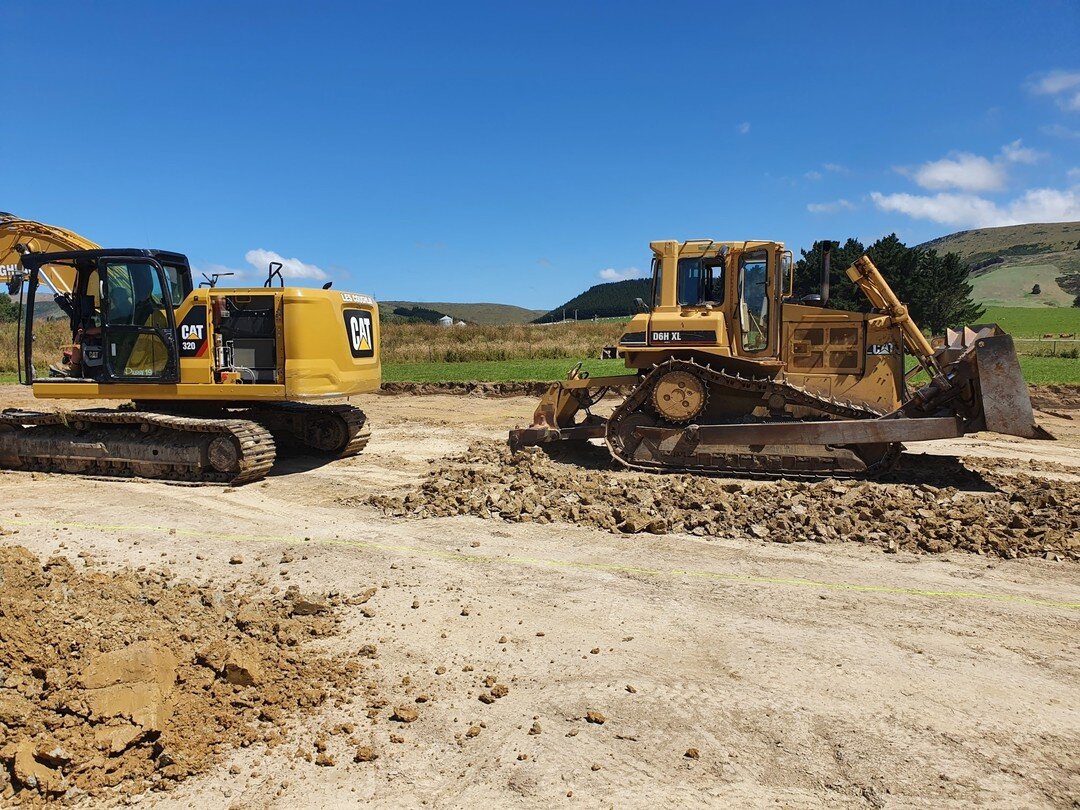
747	464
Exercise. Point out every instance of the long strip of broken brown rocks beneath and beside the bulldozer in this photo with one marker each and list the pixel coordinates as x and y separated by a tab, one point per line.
1006	517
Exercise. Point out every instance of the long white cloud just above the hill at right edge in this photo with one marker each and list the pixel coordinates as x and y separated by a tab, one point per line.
971	211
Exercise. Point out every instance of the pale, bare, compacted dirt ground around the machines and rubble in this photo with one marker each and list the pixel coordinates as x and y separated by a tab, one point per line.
557	664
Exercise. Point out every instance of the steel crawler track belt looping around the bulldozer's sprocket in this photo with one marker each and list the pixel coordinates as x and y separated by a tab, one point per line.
790	463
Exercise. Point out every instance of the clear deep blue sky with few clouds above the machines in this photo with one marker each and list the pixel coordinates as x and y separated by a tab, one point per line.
520	153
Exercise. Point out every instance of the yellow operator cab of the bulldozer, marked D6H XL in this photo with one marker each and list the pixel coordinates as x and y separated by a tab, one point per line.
723	298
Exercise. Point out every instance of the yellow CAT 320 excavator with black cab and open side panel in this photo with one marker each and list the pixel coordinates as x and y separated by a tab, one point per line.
220	381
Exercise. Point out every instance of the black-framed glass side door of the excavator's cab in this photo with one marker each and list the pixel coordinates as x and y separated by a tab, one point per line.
140	329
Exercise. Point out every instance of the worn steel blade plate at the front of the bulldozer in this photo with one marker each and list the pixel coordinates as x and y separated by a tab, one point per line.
1007	407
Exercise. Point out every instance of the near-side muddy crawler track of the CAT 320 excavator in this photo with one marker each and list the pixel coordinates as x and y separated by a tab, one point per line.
133	443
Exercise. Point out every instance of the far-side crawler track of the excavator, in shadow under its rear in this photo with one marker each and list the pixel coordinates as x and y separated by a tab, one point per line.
337	431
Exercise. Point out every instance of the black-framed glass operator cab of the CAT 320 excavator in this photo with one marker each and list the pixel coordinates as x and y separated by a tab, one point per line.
120	308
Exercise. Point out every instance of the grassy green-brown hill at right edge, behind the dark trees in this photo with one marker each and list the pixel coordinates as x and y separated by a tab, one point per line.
1008	263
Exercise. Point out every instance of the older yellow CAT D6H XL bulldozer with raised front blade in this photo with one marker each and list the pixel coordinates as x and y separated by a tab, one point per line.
735	375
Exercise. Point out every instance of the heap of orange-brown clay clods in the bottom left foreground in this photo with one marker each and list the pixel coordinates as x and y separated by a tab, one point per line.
115	683
